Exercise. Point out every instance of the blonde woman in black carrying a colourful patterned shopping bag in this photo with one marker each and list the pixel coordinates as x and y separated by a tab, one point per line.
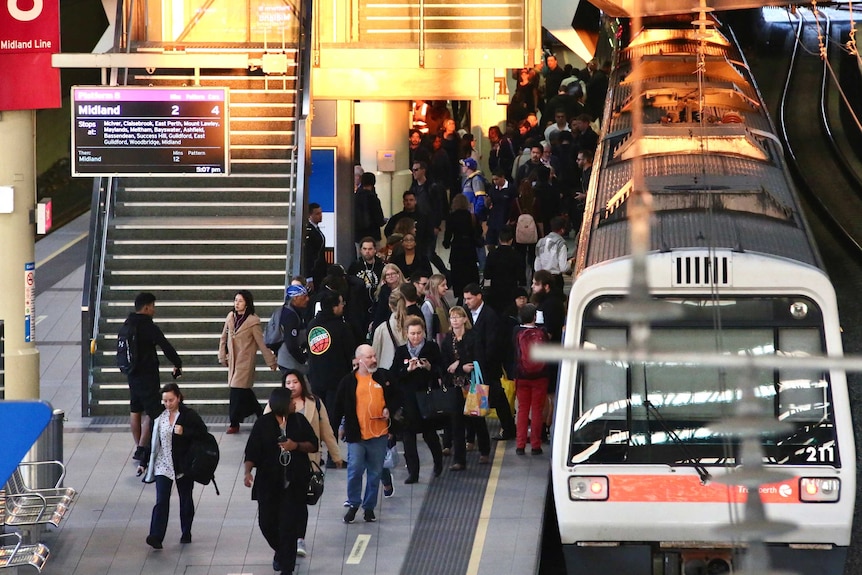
458	351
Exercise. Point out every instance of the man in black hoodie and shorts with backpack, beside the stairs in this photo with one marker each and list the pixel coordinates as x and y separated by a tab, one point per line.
145	398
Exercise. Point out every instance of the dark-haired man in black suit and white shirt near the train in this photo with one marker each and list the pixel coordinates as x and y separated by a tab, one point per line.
489	330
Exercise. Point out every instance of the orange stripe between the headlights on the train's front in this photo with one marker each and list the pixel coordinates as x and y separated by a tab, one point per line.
688	489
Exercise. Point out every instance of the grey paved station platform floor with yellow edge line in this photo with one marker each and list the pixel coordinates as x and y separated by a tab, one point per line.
485	520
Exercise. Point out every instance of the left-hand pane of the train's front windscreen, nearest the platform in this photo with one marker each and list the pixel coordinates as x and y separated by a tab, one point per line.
605	384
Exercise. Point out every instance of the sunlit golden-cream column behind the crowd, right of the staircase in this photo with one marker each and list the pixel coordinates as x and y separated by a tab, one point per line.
385	126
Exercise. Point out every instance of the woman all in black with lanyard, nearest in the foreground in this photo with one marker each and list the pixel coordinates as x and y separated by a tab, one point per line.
278	448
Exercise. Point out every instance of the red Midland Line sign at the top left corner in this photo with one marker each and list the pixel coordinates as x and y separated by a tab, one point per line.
29	34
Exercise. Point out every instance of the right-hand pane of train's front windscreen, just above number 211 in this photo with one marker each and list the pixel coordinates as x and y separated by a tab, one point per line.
802	394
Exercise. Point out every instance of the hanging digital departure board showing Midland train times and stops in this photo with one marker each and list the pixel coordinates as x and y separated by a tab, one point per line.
123	130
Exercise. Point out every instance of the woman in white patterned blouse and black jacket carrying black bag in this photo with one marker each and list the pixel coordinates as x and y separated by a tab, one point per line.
173	432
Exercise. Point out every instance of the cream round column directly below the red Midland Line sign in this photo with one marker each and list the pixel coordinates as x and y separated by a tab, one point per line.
17	273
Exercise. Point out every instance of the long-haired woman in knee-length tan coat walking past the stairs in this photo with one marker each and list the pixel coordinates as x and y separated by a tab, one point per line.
240	339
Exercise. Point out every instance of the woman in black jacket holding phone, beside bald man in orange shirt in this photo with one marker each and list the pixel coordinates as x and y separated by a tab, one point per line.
417	367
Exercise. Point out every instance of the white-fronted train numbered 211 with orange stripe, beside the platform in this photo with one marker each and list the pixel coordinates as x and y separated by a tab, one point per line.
637	461
